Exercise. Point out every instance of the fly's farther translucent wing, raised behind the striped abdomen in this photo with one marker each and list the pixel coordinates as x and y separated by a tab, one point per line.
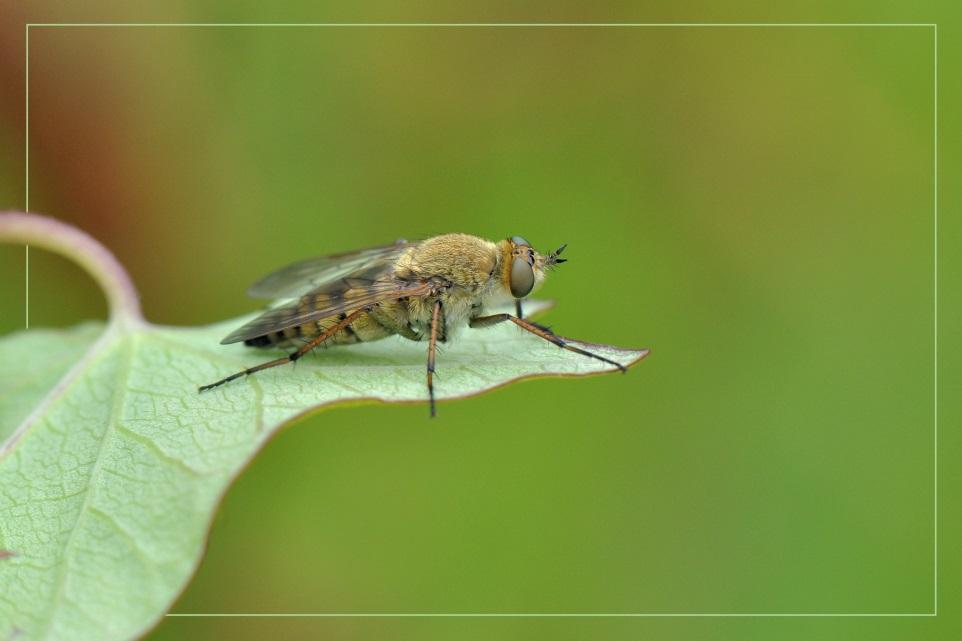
305	275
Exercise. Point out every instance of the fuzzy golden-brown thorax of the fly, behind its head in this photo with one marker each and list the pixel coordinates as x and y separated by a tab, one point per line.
465	261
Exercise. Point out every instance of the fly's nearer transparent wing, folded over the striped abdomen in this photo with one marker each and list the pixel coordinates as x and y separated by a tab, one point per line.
369	286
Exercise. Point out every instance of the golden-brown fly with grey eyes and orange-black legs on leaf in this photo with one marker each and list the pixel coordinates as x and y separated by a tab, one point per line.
418	290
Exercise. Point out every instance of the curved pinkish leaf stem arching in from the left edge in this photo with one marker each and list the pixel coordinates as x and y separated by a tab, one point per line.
94	258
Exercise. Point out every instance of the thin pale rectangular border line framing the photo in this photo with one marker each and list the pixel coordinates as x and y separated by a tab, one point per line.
935	280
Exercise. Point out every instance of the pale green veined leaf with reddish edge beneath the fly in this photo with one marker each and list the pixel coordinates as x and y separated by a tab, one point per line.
113	465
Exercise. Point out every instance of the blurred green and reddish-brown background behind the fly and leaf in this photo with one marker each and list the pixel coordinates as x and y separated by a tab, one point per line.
753	204
